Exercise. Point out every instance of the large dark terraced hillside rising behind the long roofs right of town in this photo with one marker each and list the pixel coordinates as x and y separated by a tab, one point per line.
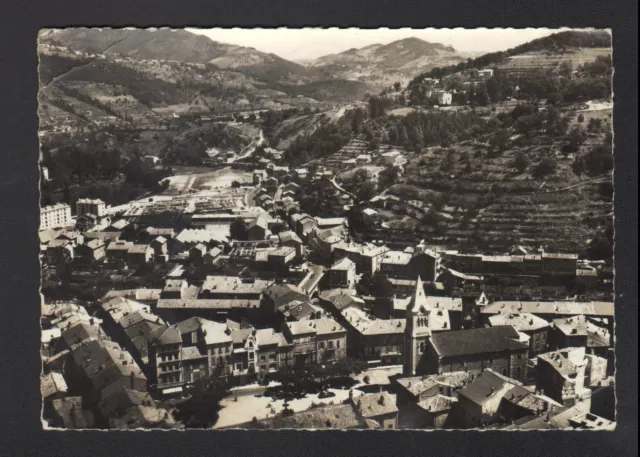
496	207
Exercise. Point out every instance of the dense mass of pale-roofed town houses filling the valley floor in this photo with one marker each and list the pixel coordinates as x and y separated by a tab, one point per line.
254	291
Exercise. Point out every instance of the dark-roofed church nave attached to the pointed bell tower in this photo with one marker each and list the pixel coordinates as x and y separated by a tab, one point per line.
499	348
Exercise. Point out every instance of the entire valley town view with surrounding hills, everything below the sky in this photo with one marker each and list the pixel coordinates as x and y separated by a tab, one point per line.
398	236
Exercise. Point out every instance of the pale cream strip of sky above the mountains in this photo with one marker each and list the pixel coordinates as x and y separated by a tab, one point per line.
310	43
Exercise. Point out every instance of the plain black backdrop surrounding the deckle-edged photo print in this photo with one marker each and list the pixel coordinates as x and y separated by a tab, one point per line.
21	430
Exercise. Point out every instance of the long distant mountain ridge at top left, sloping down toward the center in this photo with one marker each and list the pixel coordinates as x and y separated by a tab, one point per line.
175	45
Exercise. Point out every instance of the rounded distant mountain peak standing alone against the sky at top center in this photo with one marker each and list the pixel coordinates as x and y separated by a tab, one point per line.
381	63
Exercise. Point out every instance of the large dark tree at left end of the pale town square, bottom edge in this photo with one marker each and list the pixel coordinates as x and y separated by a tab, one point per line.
201	409
